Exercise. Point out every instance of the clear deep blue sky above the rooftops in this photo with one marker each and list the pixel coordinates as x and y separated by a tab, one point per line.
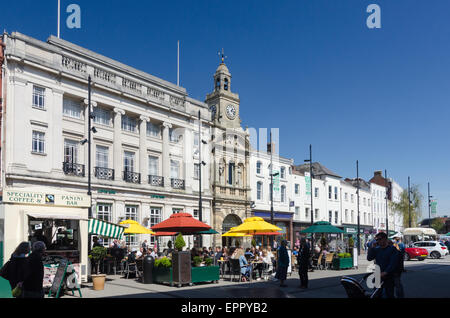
311	68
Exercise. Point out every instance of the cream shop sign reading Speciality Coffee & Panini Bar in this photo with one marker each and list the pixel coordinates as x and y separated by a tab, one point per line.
42	198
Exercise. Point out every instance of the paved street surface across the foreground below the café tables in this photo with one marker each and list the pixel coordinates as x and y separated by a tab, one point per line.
429	278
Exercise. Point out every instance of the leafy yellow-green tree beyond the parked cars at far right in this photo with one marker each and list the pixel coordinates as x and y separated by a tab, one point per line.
403	209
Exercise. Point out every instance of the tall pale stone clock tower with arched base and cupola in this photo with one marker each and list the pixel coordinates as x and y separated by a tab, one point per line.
230	152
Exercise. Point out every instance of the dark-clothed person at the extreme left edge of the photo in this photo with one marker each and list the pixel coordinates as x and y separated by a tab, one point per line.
16	269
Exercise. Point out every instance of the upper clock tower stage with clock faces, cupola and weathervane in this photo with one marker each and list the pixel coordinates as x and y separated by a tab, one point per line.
224	104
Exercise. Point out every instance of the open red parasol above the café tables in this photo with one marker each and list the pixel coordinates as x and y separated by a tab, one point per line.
182	223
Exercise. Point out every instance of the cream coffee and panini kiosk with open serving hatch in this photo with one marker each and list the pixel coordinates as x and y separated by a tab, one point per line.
59	219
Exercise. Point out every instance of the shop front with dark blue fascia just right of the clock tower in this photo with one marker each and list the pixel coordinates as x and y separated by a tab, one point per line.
281	219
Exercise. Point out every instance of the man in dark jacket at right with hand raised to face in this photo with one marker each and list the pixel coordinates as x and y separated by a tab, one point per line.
387	258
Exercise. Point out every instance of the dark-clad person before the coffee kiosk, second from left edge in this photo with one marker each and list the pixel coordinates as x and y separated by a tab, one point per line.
32	286
